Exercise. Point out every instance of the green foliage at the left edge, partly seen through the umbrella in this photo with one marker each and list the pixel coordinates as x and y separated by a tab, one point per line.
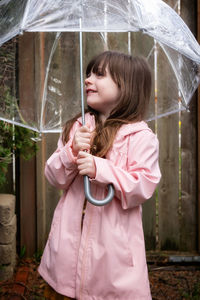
13	139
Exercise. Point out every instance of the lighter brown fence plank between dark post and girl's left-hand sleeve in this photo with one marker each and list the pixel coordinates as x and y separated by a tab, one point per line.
47	196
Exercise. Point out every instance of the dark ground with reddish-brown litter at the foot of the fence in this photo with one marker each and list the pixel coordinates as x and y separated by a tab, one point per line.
168	282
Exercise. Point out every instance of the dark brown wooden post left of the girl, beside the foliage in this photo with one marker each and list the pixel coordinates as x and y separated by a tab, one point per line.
27	168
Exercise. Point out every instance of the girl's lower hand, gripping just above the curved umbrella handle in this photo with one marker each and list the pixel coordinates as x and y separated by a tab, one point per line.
86	164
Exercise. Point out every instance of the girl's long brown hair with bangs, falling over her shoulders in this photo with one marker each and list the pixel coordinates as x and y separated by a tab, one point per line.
132	75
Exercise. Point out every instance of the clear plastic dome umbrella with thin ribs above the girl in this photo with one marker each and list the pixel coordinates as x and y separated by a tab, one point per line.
153	18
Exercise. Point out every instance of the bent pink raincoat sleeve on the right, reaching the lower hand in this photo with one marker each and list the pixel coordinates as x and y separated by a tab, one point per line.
137	183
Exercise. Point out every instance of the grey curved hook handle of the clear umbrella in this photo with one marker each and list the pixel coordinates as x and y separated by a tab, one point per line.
94	201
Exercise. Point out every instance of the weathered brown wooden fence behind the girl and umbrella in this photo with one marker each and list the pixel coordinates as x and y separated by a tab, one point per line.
171	216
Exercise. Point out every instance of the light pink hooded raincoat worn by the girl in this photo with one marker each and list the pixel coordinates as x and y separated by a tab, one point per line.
106	259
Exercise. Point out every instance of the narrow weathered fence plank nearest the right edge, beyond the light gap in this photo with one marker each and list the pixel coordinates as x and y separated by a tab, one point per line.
189	209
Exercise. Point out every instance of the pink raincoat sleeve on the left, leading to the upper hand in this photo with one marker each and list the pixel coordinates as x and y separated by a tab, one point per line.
61	168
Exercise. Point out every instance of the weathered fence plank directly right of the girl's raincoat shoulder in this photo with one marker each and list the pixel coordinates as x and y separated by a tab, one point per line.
168	134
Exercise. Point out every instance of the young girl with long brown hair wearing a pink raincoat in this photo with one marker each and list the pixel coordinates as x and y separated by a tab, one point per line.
98	252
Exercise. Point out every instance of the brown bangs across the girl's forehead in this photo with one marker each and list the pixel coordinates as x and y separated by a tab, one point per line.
98	64
